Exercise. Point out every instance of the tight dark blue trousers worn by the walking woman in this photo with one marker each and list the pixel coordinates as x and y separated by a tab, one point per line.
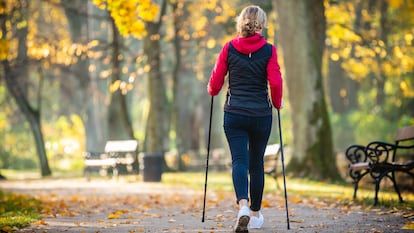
247	138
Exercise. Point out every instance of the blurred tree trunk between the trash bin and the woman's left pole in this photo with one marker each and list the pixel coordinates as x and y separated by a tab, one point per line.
186	116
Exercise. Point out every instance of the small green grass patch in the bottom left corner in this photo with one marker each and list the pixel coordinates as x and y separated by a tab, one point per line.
17	210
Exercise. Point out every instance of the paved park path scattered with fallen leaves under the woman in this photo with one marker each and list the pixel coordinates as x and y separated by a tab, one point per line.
116	206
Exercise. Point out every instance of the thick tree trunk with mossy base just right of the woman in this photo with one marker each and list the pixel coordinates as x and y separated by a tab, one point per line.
302	35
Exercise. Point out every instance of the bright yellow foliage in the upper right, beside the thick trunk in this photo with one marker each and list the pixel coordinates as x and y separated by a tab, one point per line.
371	56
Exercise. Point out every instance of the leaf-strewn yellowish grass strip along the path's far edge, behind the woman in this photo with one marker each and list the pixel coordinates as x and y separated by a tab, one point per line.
339	193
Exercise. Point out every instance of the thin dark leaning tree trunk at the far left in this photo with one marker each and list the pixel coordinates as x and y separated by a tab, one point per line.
17	84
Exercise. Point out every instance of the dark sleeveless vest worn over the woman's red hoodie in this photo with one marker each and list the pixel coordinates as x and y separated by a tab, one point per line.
248	93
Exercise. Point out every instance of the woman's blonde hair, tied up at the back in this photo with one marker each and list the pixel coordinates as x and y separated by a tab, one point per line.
252	19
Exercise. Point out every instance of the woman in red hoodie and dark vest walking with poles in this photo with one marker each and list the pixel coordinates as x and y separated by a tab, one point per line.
252	65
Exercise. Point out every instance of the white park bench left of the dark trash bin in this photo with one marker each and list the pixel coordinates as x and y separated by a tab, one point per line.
116	155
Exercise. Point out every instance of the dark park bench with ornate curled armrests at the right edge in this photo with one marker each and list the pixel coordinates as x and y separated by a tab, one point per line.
379	159
